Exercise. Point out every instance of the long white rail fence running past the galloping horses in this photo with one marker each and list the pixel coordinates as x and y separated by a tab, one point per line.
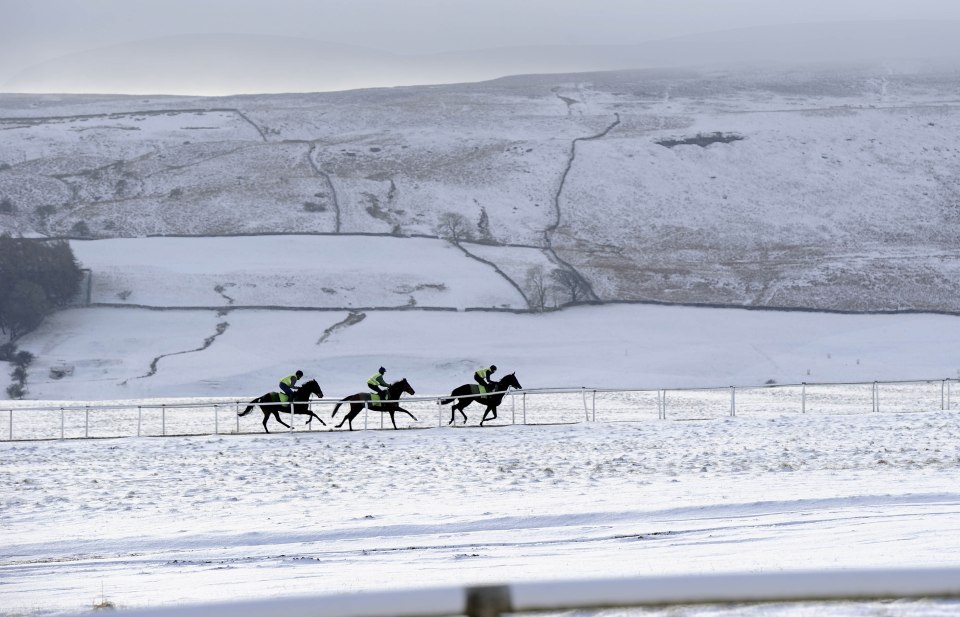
32	420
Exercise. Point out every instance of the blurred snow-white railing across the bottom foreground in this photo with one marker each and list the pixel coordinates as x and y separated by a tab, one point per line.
493	601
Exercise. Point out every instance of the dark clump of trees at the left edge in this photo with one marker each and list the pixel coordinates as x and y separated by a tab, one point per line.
36	277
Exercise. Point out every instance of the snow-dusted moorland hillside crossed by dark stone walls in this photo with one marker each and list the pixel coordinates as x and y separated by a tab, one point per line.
814	187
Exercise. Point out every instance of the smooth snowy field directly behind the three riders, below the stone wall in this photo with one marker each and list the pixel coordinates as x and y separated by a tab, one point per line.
121	353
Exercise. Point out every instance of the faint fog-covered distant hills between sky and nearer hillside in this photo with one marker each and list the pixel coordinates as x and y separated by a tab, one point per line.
232	63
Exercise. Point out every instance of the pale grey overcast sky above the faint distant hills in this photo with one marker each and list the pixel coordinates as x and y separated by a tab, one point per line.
33	31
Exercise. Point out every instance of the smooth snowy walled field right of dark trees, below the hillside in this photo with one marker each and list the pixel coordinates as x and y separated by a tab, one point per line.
291	271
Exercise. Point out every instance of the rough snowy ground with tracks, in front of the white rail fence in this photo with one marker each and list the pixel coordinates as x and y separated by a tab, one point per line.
161	521
